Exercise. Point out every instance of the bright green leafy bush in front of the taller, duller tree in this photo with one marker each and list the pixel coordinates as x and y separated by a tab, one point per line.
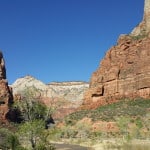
33	132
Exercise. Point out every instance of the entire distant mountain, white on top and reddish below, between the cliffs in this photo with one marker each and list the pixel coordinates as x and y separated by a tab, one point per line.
64	96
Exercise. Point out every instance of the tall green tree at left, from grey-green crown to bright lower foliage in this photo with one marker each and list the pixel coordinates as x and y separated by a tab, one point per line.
35	114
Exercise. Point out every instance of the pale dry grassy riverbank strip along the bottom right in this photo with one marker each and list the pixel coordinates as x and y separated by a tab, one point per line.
105	144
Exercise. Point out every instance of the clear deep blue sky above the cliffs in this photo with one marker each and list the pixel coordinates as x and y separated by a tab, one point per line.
62	40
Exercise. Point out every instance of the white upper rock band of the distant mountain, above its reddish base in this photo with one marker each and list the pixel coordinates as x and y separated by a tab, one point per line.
70	91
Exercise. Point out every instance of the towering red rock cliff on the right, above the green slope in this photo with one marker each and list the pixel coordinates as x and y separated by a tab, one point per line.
125	69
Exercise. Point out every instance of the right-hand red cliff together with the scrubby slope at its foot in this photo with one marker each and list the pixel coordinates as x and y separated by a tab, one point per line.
117	102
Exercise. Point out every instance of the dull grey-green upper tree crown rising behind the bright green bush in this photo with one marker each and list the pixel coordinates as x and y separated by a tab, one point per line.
30	106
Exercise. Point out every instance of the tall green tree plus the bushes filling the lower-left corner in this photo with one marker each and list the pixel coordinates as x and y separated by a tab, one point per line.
31	133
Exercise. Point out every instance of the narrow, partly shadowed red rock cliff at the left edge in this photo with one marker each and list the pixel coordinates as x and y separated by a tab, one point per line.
5	91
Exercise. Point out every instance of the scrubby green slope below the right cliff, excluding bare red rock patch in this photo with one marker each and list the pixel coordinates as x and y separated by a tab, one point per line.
132	117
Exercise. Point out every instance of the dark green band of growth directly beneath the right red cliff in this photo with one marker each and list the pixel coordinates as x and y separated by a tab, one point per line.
125	107
